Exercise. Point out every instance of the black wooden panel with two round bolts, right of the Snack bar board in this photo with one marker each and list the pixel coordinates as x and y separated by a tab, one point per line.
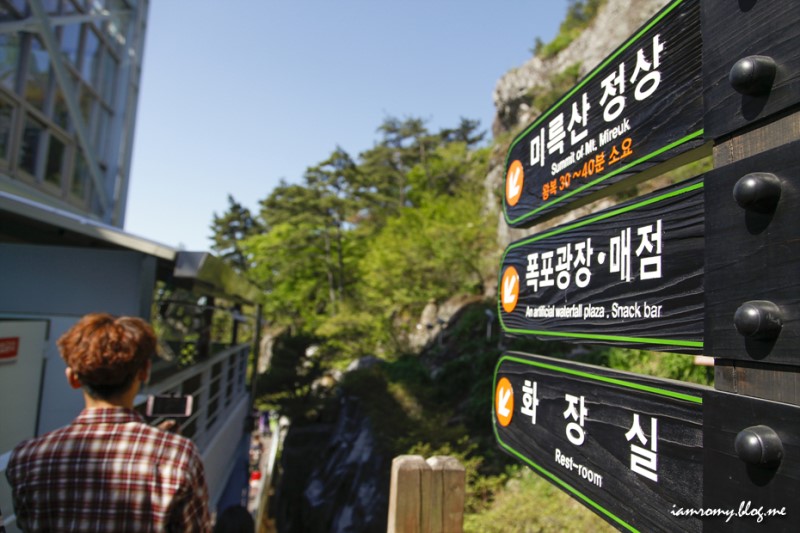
752	255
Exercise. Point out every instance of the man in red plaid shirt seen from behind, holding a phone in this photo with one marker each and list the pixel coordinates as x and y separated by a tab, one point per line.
108	470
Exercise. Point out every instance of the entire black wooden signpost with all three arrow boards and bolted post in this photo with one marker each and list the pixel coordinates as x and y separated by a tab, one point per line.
706	266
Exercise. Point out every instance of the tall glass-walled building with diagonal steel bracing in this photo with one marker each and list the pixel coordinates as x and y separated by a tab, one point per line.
69	84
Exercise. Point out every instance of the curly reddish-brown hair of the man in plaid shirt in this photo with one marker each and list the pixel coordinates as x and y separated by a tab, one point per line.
106	351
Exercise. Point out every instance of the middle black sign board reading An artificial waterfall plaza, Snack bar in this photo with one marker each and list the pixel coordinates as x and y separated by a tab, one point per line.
627	276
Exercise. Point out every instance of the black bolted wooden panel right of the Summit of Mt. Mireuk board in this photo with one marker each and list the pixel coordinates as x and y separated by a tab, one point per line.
733	31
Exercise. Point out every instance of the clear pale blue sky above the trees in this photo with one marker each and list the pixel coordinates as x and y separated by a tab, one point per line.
236	95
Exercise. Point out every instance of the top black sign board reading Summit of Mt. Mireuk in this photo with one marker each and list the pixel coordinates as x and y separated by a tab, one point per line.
639	109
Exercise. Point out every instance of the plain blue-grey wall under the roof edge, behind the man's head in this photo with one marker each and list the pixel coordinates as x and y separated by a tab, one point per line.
61	284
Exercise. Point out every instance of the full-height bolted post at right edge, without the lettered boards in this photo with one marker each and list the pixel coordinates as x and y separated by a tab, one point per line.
750	450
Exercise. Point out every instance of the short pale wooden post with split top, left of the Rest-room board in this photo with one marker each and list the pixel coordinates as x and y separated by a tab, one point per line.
426	496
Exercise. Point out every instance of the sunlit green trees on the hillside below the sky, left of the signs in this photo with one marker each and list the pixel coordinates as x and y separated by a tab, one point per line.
358	240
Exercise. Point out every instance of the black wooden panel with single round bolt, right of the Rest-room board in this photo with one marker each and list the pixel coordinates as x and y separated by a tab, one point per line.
737	493
